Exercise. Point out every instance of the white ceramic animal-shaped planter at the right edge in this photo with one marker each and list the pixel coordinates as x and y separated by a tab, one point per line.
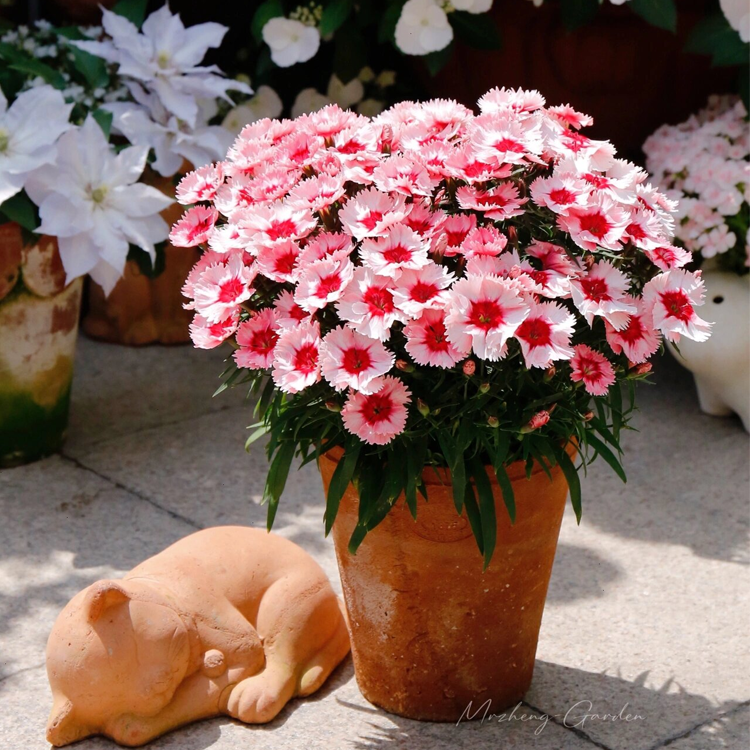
721	365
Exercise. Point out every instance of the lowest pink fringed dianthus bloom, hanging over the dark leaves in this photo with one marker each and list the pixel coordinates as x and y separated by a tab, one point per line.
377	418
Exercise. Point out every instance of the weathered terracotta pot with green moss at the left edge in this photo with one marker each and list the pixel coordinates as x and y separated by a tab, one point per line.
38	327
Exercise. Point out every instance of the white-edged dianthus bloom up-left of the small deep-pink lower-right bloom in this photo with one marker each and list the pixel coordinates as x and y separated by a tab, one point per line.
545	334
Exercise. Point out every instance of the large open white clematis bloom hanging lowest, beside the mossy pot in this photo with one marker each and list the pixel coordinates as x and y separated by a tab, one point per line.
91	200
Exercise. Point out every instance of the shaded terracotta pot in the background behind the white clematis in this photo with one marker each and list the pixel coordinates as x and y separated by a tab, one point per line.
142	310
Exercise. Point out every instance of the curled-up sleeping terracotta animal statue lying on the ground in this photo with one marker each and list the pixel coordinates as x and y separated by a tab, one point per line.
229	620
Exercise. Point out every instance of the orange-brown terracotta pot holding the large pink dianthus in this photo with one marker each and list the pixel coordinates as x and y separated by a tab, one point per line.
433	635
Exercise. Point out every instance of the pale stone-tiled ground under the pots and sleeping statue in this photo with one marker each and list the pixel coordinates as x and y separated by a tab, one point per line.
647	612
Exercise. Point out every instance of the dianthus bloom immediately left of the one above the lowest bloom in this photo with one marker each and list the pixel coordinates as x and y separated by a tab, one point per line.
296	358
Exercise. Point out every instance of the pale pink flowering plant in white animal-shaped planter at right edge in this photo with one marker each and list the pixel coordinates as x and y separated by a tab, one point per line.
704	163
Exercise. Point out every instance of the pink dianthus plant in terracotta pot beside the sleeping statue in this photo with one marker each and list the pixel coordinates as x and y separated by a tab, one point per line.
448	313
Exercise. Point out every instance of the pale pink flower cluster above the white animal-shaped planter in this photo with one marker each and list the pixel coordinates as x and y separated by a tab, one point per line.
705	163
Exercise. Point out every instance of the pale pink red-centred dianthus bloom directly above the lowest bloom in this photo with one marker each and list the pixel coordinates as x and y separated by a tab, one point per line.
350	360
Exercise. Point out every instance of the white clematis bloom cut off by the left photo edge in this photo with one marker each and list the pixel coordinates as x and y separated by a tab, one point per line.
24	145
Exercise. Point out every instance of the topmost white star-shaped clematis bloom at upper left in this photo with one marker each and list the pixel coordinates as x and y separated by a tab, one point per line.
165	58
